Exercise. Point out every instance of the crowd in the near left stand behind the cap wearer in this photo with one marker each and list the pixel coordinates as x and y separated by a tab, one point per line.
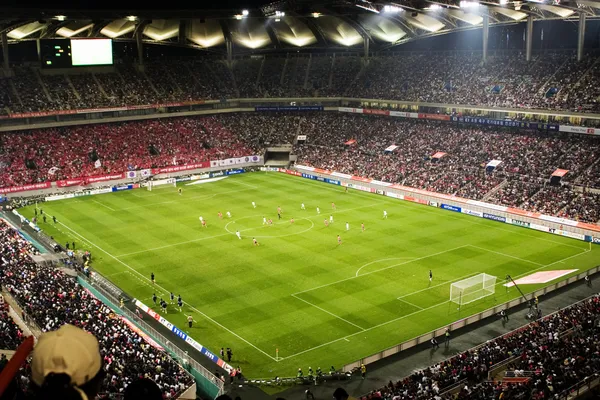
52	299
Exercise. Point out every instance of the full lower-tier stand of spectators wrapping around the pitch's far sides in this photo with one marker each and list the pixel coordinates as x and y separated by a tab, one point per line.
522	179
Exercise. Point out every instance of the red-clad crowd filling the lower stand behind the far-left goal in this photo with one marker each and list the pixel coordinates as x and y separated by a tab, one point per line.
61	153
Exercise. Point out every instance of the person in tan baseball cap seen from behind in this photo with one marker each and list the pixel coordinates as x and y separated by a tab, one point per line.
66	365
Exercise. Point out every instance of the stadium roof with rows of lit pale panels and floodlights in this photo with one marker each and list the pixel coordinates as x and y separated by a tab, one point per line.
286	24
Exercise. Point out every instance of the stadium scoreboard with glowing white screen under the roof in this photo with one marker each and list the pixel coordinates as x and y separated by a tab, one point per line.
67	53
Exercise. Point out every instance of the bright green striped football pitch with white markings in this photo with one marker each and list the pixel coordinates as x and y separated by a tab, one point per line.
319	303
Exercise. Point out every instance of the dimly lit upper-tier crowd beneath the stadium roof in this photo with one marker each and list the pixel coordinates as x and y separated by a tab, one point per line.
552	80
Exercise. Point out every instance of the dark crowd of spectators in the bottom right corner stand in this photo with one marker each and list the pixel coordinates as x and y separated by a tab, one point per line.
557	352
